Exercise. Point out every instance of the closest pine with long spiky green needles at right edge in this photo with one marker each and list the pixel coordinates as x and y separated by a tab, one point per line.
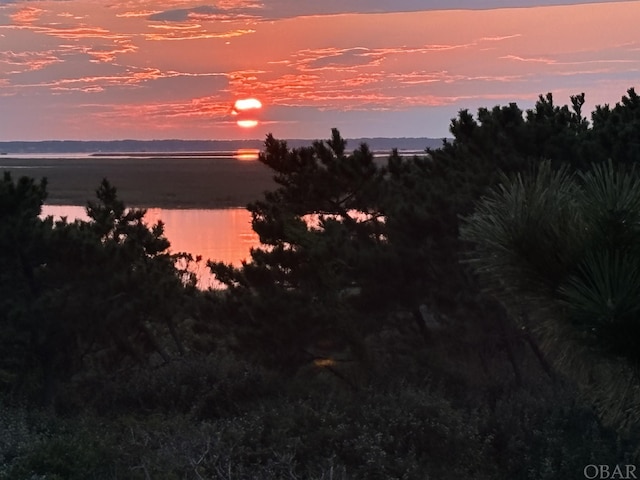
563	248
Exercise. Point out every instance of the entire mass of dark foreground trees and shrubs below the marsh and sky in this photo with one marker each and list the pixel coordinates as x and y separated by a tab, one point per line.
467	313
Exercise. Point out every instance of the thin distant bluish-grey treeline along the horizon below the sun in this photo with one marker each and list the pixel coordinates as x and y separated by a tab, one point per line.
131	146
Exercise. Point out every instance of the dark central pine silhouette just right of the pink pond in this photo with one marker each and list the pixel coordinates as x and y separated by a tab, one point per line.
321	231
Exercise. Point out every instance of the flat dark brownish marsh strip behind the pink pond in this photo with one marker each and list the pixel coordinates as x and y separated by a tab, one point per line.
164	182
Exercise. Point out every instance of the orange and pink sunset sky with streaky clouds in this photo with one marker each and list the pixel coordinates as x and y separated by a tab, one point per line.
159	69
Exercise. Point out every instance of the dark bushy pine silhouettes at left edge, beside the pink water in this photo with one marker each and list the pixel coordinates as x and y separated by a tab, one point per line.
77	292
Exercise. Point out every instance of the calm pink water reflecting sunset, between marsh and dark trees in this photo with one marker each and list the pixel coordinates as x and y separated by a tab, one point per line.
215	234
